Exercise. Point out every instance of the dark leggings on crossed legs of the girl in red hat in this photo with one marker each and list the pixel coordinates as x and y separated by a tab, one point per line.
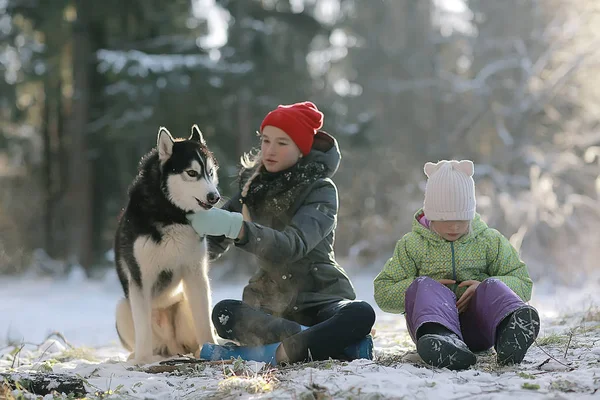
333	327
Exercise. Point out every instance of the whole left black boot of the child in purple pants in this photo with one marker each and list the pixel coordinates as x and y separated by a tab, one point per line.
440	347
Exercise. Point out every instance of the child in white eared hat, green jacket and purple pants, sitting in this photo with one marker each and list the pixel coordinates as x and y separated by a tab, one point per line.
460	283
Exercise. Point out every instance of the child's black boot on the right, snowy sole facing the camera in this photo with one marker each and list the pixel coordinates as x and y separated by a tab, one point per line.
515	334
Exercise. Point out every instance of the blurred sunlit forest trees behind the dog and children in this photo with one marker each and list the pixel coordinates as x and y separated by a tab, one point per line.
512	85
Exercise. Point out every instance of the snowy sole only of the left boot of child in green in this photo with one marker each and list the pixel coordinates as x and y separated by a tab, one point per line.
442	353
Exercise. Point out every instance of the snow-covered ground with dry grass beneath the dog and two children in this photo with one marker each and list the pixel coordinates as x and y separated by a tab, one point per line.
565	364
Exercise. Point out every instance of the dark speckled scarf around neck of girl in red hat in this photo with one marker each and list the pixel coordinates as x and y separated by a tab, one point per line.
273	193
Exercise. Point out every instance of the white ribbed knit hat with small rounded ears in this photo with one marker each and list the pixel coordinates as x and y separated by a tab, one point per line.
450	191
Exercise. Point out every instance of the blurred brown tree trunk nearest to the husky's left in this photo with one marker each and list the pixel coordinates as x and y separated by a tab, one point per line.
79	189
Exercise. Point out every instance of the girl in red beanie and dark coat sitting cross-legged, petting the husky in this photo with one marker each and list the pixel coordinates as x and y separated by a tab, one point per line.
300	304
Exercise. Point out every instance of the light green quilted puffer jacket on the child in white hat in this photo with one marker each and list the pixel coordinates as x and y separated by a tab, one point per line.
483	253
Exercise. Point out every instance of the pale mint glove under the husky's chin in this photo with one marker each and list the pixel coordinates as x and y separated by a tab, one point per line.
216	222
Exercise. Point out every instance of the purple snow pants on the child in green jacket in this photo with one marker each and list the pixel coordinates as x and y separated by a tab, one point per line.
427	300
